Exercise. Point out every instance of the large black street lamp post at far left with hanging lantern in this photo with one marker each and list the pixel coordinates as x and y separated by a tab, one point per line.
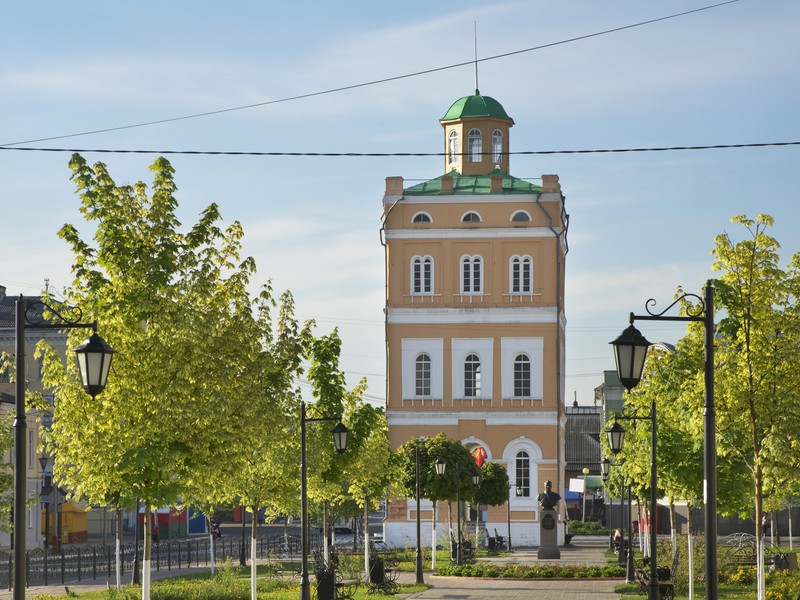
94	361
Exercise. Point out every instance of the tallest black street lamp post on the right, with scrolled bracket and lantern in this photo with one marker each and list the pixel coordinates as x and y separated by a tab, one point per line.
630	354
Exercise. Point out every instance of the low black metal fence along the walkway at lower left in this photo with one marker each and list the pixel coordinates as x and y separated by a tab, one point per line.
71	563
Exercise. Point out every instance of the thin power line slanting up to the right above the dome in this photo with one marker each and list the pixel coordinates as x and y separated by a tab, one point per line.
370	83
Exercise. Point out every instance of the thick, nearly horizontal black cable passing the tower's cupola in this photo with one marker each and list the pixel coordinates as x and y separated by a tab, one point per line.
398	154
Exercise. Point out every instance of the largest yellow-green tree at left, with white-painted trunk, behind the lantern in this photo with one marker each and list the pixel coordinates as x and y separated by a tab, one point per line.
175	307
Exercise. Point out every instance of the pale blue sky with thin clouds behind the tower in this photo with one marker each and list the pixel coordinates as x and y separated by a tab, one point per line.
641	223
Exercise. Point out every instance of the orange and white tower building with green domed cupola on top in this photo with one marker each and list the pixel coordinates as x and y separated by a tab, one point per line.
475	315
